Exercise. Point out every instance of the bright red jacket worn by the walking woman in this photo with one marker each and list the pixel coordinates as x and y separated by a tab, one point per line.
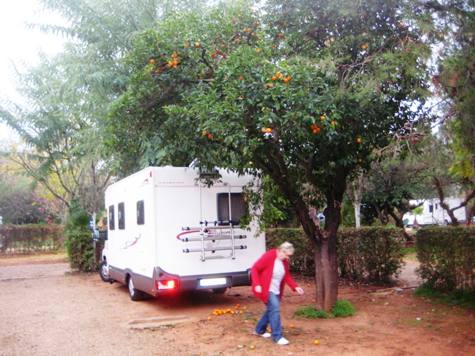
261	274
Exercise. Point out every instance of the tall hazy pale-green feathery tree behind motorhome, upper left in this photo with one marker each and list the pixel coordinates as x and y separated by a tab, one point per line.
68	98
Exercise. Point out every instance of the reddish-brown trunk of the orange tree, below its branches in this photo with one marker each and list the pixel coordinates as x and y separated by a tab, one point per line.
326	274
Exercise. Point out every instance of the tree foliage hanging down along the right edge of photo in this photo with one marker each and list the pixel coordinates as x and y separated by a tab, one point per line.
453	28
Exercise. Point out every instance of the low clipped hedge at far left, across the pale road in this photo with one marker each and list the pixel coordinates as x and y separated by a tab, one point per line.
31	238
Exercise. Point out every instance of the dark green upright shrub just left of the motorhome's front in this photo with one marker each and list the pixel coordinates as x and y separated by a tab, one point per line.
79	243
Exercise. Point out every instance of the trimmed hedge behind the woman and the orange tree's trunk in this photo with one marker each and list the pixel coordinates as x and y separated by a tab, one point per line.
369	254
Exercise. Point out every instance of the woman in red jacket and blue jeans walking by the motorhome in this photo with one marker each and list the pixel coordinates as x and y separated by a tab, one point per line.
269	275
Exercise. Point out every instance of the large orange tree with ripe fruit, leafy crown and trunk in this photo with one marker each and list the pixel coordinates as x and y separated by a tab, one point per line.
302	95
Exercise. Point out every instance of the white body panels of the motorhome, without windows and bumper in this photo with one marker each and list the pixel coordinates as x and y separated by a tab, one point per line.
174	199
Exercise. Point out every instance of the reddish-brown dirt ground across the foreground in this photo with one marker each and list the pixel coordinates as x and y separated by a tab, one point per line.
46	310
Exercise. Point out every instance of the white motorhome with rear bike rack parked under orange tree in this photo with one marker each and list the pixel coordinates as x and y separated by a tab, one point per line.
169	232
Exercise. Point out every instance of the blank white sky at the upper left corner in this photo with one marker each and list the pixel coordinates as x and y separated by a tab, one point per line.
20	46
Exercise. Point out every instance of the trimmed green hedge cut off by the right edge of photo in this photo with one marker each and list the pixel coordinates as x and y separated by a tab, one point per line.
447	257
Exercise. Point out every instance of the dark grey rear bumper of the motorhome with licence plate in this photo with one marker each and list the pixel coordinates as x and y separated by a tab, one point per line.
188	283
